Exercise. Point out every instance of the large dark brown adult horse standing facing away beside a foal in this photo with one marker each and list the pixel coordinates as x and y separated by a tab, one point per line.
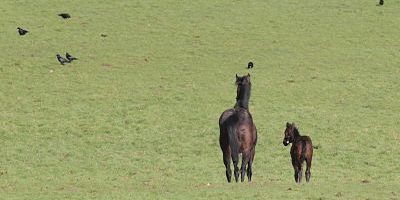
238	134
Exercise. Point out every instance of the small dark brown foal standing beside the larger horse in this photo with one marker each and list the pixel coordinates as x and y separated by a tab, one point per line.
301	151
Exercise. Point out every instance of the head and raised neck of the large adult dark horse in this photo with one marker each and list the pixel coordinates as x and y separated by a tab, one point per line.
243	91
